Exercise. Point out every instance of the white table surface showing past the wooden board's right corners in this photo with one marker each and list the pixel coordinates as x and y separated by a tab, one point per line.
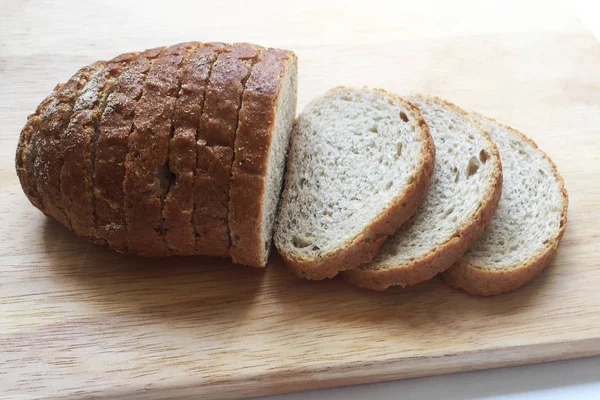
573	379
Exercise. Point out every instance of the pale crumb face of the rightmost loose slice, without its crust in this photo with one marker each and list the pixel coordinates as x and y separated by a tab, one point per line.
530	210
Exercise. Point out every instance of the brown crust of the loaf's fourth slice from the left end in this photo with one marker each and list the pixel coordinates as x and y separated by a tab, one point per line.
115	125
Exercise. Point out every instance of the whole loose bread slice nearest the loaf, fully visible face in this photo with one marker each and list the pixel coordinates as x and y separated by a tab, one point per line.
359	165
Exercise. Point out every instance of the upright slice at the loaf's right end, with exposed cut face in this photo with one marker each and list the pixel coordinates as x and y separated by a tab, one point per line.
262	140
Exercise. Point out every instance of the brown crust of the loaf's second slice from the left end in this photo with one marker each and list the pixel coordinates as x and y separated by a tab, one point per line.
48	159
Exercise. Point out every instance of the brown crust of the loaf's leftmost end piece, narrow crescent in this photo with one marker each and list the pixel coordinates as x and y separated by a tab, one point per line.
25	157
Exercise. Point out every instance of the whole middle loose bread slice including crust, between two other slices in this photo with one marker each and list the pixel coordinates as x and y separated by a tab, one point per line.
461	200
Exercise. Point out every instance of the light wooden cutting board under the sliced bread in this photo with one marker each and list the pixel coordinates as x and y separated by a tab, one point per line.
78	320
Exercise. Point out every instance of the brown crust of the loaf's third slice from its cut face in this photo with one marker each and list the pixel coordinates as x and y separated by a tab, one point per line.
179	202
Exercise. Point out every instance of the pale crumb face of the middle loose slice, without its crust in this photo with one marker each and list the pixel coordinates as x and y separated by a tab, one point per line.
462	178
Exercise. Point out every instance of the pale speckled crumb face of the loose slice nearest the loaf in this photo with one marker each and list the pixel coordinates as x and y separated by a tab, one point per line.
353	152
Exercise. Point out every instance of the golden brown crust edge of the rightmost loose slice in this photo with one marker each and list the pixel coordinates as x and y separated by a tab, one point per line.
475	280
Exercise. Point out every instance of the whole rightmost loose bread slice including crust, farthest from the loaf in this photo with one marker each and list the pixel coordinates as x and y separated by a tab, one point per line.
524	234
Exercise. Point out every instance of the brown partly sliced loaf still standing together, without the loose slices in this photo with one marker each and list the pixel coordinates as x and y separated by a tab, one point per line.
172	151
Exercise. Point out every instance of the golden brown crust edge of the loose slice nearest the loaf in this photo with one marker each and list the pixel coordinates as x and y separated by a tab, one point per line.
366	244
